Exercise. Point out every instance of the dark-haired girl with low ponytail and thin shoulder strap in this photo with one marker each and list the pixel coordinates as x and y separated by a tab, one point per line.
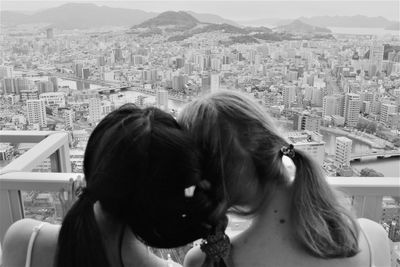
137	165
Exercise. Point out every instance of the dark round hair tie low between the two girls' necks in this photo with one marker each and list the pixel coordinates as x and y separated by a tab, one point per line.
216	246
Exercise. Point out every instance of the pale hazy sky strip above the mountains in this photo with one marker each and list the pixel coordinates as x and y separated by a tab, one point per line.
238	10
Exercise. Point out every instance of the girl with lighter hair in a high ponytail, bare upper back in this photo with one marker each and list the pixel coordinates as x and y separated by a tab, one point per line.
298	222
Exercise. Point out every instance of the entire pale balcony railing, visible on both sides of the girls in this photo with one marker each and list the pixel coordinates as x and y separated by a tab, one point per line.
366	192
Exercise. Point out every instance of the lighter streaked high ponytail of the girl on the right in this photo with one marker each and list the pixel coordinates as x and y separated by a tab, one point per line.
323	226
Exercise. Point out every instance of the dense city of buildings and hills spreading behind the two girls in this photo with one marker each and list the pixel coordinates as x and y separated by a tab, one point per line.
336	96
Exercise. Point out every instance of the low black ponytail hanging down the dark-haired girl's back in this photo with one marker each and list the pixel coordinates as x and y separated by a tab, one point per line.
79	241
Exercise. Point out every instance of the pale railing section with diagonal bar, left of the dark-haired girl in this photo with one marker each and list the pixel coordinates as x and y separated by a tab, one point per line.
18	175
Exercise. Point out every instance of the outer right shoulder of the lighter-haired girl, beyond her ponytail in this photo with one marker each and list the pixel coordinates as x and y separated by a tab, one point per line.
378	240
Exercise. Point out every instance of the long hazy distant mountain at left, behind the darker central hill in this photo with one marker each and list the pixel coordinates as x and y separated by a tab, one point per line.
81	16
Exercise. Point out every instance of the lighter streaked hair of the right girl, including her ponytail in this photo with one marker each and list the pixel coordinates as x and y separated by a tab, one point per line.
241	148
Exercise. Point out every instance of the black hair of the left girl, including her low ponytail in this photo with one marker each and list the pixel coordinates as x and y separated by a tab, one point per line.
137	164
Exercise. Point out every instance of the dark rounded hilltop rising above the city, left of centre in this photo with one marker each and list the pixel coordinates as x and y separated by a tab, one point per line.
170	18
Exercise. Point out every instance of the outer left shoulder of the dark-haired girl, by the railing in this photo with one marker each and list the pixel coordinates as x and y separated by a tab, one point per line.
17	237
